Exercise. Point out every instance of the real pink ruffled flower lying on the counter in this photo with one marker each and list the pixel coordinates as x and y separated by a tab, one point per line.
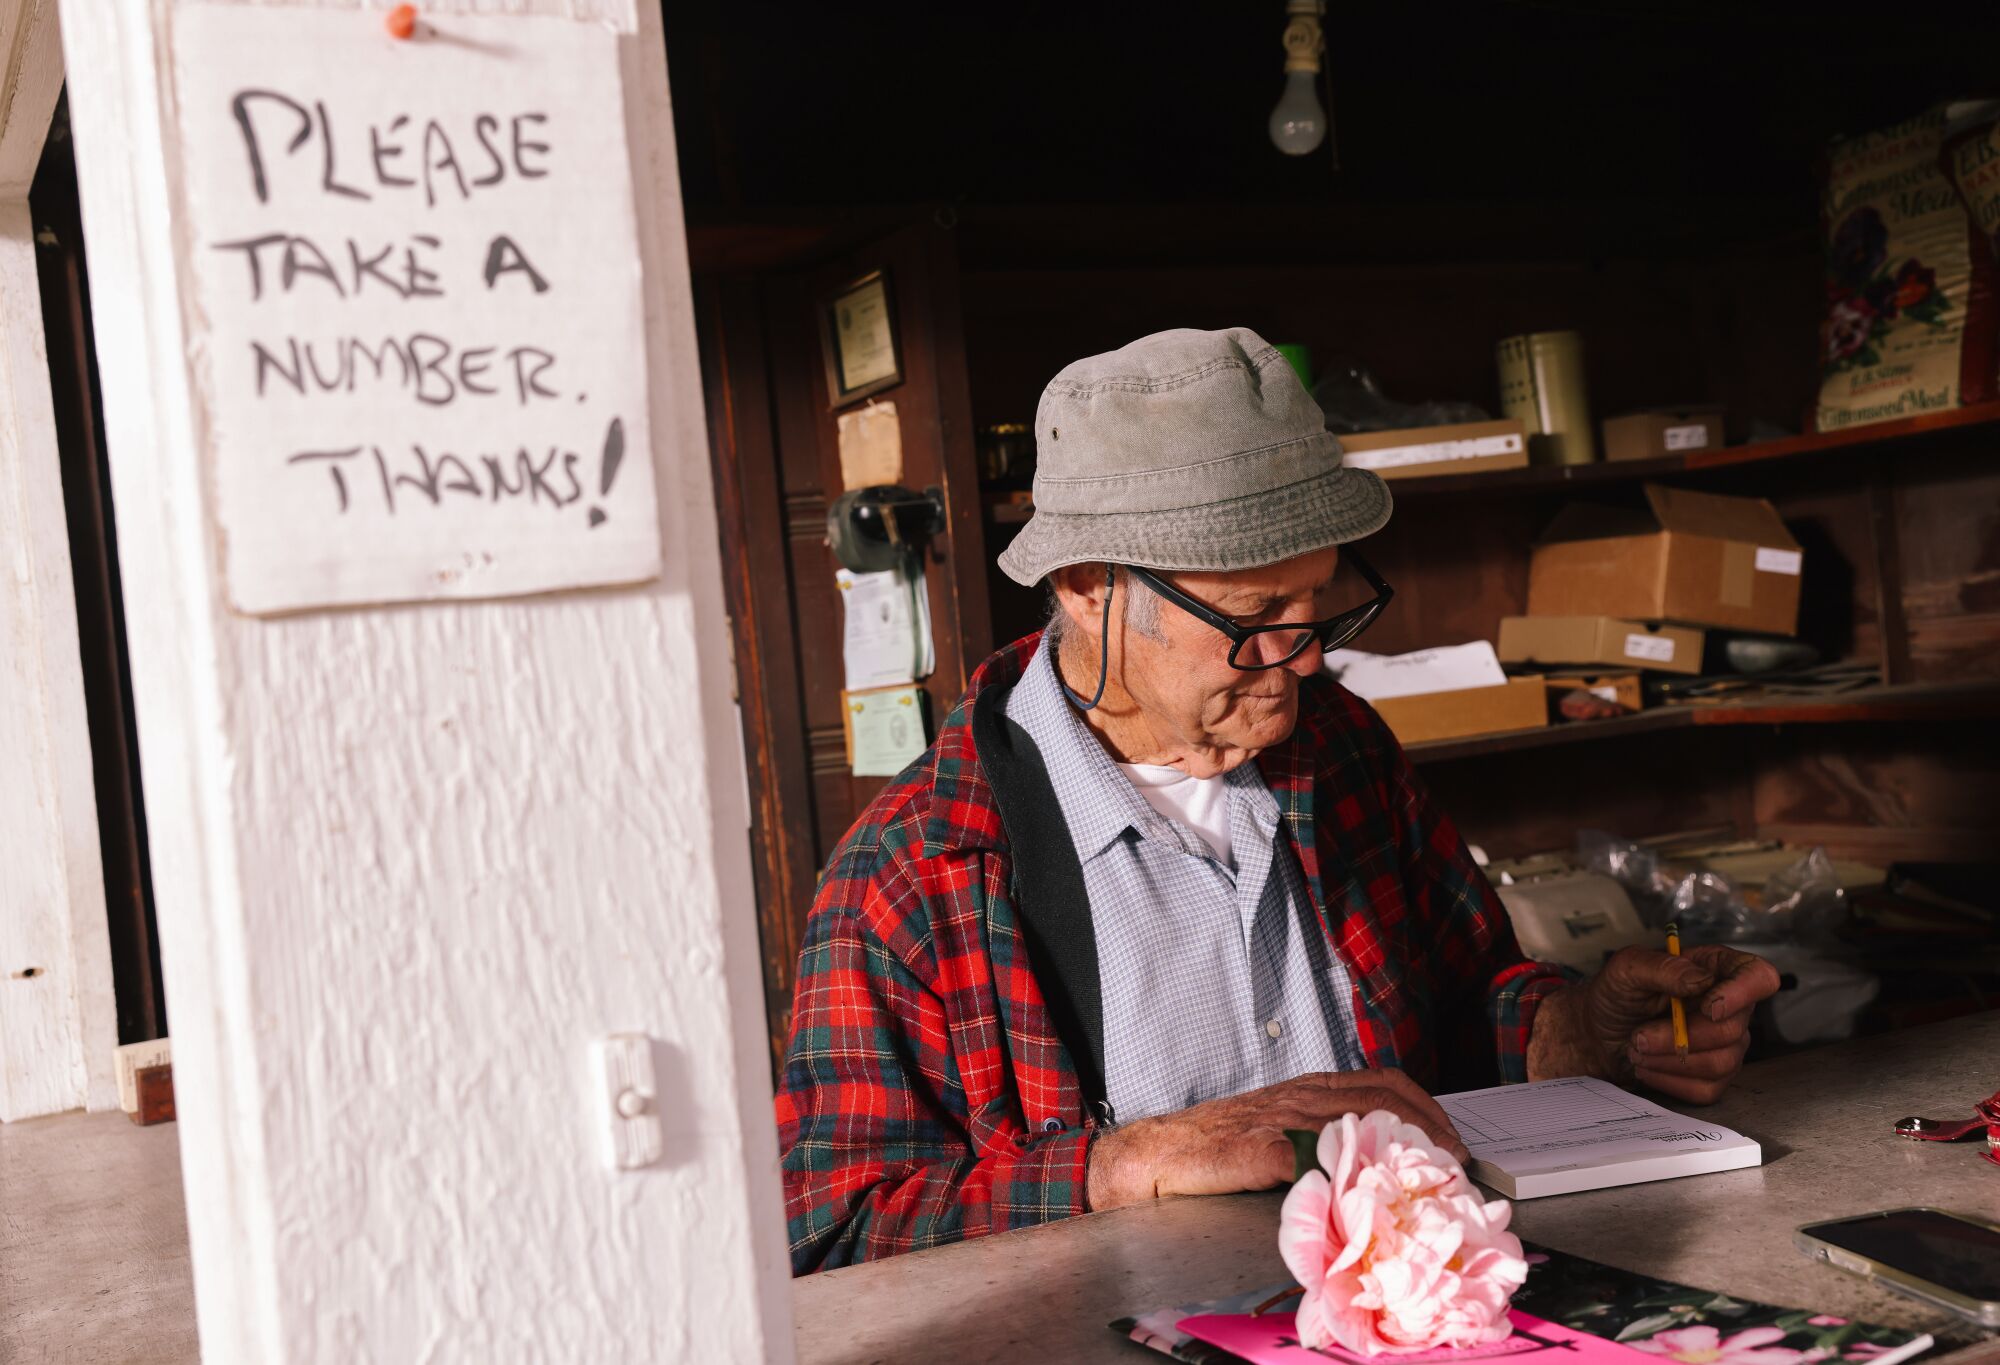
1395	1248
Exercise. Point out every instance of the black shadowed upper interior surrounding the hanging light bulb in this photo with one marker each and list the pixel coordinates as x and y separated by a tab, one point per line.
1657	123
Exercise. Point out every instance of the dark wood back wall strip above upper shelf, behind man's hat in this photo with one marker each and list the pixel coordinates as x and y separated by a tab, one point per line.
1429	331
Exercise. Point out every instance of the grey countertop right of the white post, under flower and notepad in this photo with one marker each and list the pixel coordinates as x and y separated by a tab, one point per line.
1823	1118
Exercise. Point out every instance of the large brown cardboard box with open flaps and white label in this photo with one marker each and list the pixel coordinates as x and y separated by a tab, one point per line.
1695	557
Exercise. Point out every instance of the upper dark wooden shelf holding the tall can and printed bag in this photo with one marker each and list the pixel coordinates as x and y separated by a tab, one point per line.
1565	477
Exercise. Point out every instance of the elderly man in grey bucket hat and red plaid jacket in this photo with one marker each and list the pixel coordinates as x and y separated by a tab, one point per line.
1163	890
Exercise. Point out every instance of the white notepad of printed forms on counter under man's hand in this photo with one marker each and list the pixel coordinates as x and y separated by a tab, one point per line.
1555	1138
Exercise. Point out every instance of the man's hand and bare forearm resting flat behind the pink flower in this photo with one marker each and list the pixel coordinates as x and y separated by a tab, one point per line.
1237	1144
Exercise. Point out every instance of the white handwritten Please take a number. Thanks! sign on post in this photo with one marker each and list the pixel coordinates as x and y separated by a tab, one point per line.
417	305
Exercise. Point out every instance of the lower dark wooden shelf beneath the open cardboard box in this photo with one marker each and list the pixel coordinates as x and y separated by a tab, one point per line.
1917	702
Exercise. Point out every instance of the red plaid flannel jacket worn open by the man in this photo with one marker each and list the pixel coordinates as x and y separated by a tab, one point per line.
925	1092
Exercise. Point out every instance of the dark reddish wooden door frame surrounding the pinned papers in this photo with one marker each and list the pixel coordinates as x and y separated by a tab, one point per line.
751	411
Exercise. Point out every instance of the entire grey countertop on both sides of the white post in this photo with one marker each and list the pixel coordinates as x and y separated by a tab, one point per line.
95	1244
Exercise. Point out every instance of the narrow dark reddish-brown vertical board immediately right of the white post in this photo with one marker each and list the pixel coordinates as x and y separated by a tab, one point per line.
751	513
